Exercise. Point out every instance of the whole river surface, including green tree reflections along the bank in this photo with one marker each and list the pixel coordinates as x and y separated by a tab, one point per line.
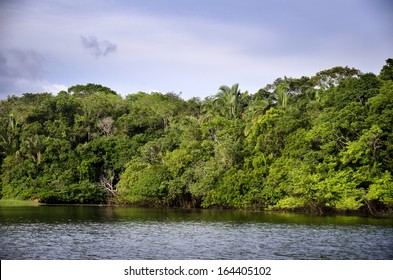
108	233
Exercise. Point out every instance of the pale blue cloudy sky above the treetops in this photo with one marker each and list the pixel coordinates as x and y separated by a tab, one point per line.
187	46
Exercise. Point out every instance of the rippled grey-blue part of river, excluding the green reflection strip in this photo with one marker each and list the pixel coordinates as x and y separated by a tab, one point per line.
192	239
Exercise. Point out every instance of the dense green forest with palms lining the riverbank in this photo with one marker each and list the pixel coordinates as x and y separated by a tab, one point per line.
320	144
